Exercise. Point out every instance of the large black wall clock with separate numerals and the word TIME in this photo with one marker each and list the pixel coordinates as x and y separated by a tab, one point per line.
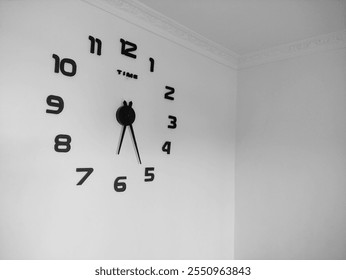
124	114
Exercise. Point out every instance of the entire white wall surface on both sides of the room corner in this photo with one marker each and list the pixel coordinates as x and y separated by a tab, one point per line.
290	195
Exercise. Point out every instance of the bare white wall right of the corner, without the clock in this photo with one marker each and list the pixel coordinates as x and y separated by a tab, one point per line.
291	159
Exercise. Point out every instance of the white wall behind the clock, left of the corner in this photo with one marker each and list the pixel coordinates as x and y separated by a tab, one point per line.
186	213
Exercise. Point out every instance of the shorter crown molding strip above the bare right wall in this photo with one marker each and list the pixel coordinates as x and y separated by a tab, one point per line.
329	41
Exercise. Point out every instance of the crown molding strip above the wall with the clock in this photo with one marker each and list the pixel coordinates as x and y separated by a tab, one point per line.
138	14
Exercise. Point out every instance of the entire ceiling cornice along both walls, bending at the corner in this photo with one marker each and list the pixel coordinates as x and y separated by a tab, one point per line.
142	16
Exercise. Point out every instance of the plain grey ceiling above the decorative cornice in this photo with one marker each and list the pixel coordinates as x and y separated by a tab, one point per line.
247	26
